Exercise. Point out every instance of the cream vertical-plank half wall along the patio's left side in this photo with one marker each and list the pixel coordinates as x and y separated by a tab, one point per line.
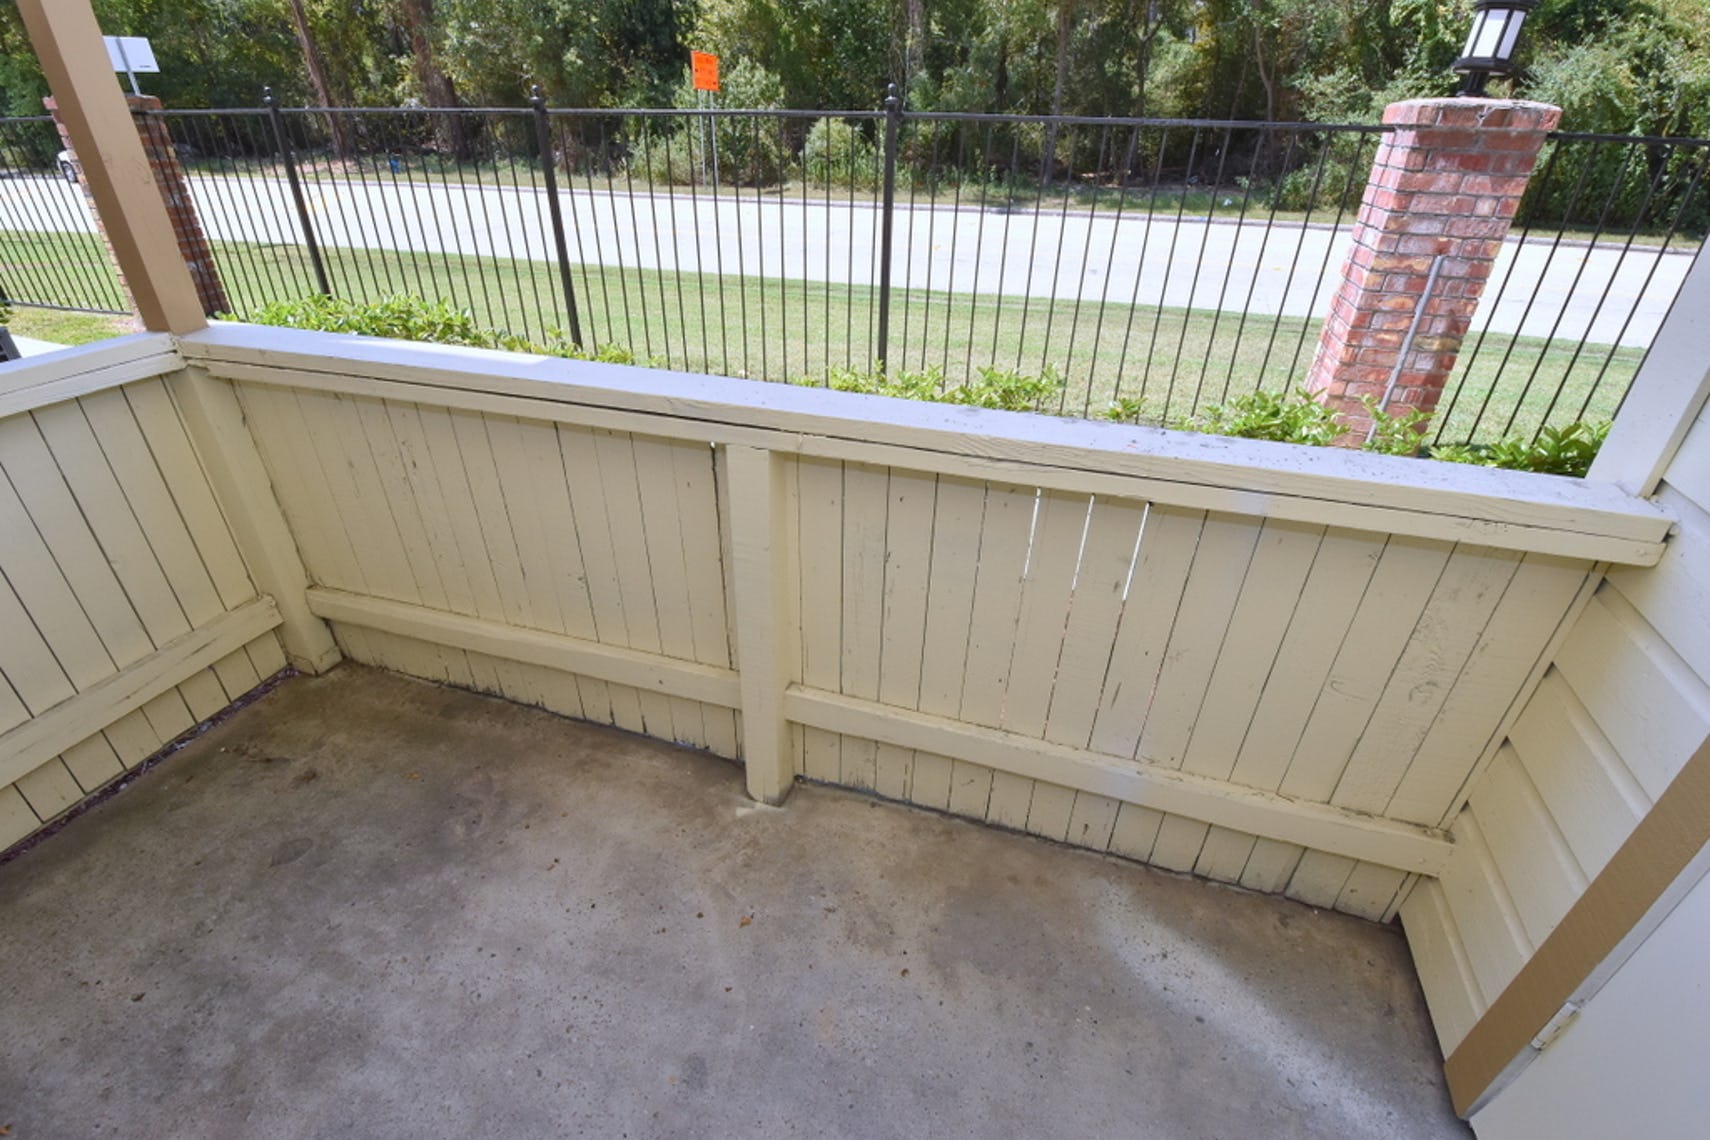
126	609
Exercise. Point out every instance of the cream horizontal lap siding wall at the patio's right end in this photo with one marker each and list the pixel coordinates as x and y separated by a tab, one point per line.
1624	705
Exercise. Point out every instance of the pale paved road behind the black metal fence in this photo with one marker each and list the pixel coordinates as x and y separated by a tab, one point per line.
1601	293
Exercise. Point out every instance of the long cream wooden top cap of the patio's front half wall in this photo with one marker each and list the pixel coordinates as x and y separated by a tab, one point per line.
1511	510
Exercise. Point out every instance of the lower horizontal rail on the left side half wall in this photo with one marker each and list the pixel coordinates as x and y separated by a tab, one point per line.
56	731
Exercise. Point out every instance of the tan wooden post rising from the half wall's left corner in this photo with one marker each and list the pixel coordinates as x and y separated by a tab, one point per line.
115	168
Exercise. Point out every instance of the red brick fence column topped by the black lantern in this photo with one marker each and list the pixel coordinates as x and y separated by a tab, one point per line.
1444	191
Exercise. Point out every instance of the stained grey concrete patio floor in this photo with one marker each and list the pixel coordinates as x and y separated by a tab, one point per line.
369	907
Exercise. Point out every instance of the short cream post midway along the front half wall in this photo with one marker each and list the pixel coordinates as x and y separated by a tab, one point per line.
762	522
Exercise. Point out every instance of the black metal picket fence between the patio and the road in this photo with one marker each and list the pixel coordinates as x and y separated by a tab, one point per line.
1148	266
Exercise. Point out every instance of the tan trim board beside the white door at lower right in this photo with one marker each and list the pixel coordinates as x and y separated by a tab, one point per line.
1654	855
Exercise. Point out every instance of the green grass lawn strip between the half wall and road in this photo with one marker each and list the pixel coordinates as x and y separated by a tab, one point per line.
1176	361
